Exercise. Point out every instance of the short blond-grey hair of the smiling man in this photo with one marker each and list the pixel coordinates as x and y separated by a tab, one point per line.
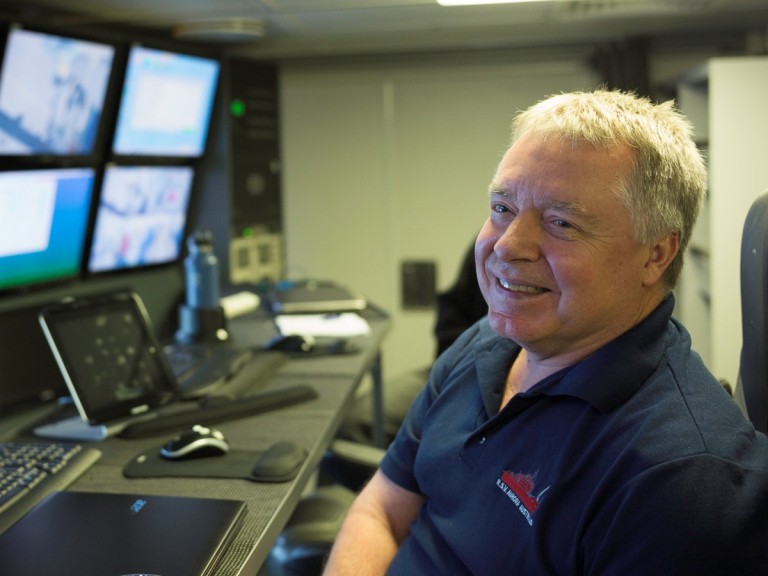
667	185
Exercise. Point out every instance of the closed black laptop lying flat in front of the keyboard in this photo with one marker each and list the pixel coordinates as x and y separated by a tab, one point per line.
100	534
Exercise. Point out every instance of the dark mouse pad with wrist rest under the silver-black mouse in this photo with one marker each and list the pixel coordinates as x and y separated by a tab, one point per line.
279	463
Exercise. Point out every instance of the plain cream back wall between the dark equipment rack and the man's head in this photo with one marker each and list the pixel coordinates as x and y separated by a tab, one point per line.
386	161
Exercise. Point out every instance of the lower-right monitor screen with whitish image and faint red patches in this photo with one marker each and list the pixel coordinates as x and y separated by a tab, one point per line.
141	218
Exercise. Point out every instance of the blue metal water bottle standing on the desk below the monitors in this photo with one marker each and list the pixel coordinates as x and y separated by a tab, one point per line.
202	272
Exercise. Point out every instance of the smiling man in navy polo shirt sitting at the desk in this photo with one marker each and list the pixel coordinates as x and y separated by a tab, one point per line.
573	431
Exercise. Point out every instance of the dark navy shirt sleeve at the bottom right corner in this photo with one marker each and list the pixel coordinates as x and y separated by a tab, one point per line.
711	518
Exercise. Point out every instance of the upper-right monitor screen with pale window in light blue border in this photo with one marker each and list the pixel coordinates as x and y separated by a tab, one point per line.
166	104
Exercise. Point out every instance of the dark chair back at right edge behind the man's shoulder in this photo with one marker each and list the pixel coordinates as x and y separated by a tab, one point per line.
752	386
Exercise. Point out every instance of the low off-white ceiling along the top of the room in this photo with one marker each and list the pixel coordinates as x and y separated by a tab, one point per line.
280	29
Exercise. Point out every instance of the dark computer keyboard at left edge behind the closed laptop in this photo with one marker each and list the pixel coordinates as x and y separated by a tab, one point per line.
30	471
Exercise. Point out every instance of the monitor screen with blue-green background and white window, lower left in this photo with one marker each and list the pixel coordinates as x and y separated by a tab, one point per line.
43	223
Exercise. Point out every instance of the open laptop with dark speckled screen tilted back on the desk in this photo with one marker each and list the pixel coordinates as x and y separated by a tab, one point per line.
115	369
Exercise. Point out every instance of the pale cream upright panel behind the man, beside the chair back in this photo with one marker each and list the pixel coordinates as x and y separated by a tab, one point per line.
738	129
